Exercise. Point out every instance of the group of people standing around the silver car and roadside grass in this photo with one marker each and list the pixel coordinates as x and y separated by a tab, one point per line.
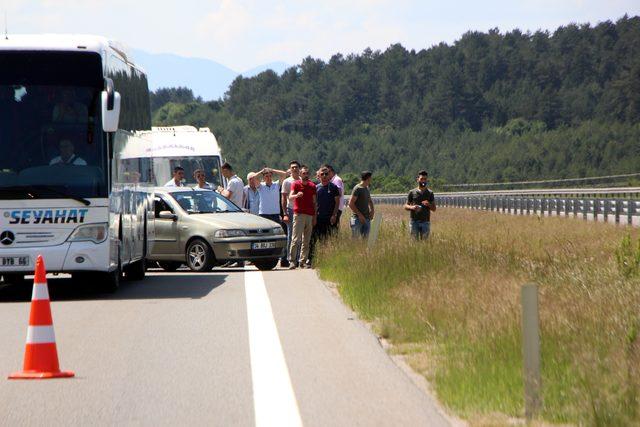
310	210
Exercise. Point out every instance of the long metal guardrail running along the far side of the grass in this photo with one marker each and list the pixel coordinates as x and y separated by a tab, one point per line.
613	205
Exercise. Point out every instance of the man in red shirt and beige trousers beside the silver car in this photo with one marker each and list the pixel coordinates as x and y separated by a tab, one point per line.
303	195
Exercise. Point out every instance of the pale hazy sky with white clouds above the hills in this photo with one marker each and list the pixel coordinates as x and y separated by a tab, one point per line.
244	33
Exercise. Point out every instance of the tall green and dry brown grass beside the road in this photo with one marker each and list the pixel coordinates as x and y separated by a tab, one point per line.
452	305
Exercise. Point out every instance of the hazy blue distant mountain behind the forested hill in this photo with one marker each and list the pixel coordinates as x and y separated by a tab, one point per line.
207	78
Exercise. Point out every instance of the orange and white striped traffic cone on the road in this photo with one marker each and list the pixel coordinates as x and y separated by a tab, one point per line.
41	355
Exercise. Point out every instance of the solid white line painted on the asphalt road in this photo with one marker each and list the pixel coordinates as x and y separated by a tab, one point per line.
273	398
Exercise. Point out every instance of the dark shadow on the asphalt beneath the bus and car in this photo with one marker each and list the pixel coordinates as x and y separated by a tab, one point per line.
181	284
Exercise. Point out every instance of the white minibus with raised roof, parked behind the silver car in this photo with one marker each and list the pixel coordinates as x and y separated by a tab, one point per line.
186	146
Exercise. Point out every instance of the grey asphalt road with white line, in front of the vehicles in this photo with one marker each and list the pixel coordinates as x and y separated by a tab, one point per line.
231	347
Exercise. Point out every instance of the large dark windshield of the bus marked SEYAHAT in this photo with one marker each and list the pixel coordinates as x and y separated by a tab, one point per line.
51	139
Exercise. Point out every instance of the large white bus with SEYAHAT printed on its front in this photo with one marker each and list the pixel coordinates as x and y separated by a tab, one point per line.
69	105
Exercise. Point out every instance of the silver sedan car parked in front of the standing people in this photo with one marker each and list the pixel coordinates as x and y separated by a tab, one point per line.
202	229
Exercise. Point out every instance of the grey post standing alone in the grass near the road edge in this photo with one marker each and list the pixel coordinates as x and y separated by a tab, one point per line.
531	350
